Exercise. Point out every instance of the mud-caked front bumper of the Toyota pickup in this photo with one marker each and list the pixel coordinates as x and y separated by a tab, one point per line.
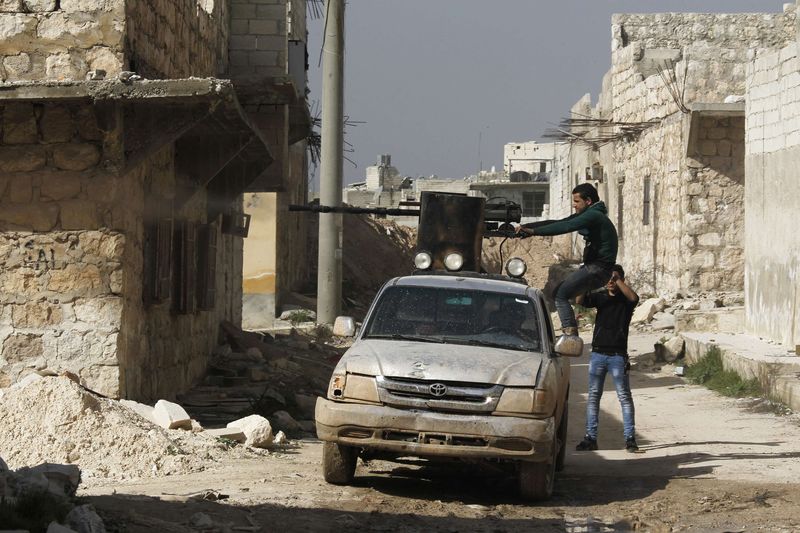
433	434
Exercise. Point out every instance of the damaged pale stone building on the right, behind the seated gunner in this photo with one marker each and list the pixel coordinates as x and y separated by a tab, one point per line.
665	145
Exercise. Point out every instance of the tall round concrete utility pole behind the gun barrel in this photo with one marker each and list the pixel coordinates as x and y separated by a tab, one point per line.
329	274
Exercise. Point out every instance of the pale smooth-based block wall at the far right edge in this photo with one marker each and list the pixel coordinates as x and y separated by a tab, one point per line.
772	243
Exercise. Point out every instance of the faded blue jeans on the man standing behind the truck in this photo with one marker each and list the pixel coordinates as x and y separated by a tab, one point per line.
599	366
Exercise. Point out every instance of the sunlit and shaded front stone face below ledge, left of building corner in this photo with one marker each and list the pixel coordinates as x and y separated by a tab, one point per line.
62	242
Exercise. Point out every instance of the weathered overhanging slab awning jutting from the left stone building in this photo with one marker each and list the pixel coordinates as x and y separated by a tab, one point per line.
217	145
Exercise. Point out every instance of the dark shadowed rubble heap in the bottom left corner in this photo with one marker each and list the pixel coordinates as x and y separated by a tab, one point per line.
43	496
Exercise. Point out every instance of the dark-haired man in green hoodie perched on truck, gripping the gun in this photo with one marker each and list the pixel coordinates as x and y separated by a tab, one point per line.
591	221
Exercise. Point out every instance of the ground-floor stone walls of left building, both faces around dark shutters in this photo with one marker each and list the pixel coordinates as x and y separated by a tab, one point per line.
71	260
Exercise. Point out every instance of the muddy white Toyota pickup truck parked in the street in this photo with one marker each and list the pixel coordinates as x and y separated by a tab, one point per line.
451	365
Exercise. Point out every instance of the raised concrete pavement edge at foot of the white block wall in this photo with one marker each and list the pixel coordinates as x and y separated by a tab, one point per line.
775	366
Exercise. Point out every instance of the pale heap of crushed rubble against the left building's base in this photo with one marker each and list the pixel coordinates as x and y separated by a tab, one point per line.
56	420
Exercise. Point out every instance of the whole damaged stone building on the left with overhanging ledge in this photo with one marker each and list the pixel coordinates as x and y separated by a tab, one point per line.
128	135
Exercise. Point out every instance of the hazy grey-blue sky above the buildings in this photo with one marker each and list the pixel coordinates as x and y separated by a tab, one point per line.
442	85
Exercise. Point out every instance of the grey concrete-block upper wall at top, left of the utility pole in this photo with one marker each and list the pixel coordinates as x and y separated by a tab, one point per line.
259	44
